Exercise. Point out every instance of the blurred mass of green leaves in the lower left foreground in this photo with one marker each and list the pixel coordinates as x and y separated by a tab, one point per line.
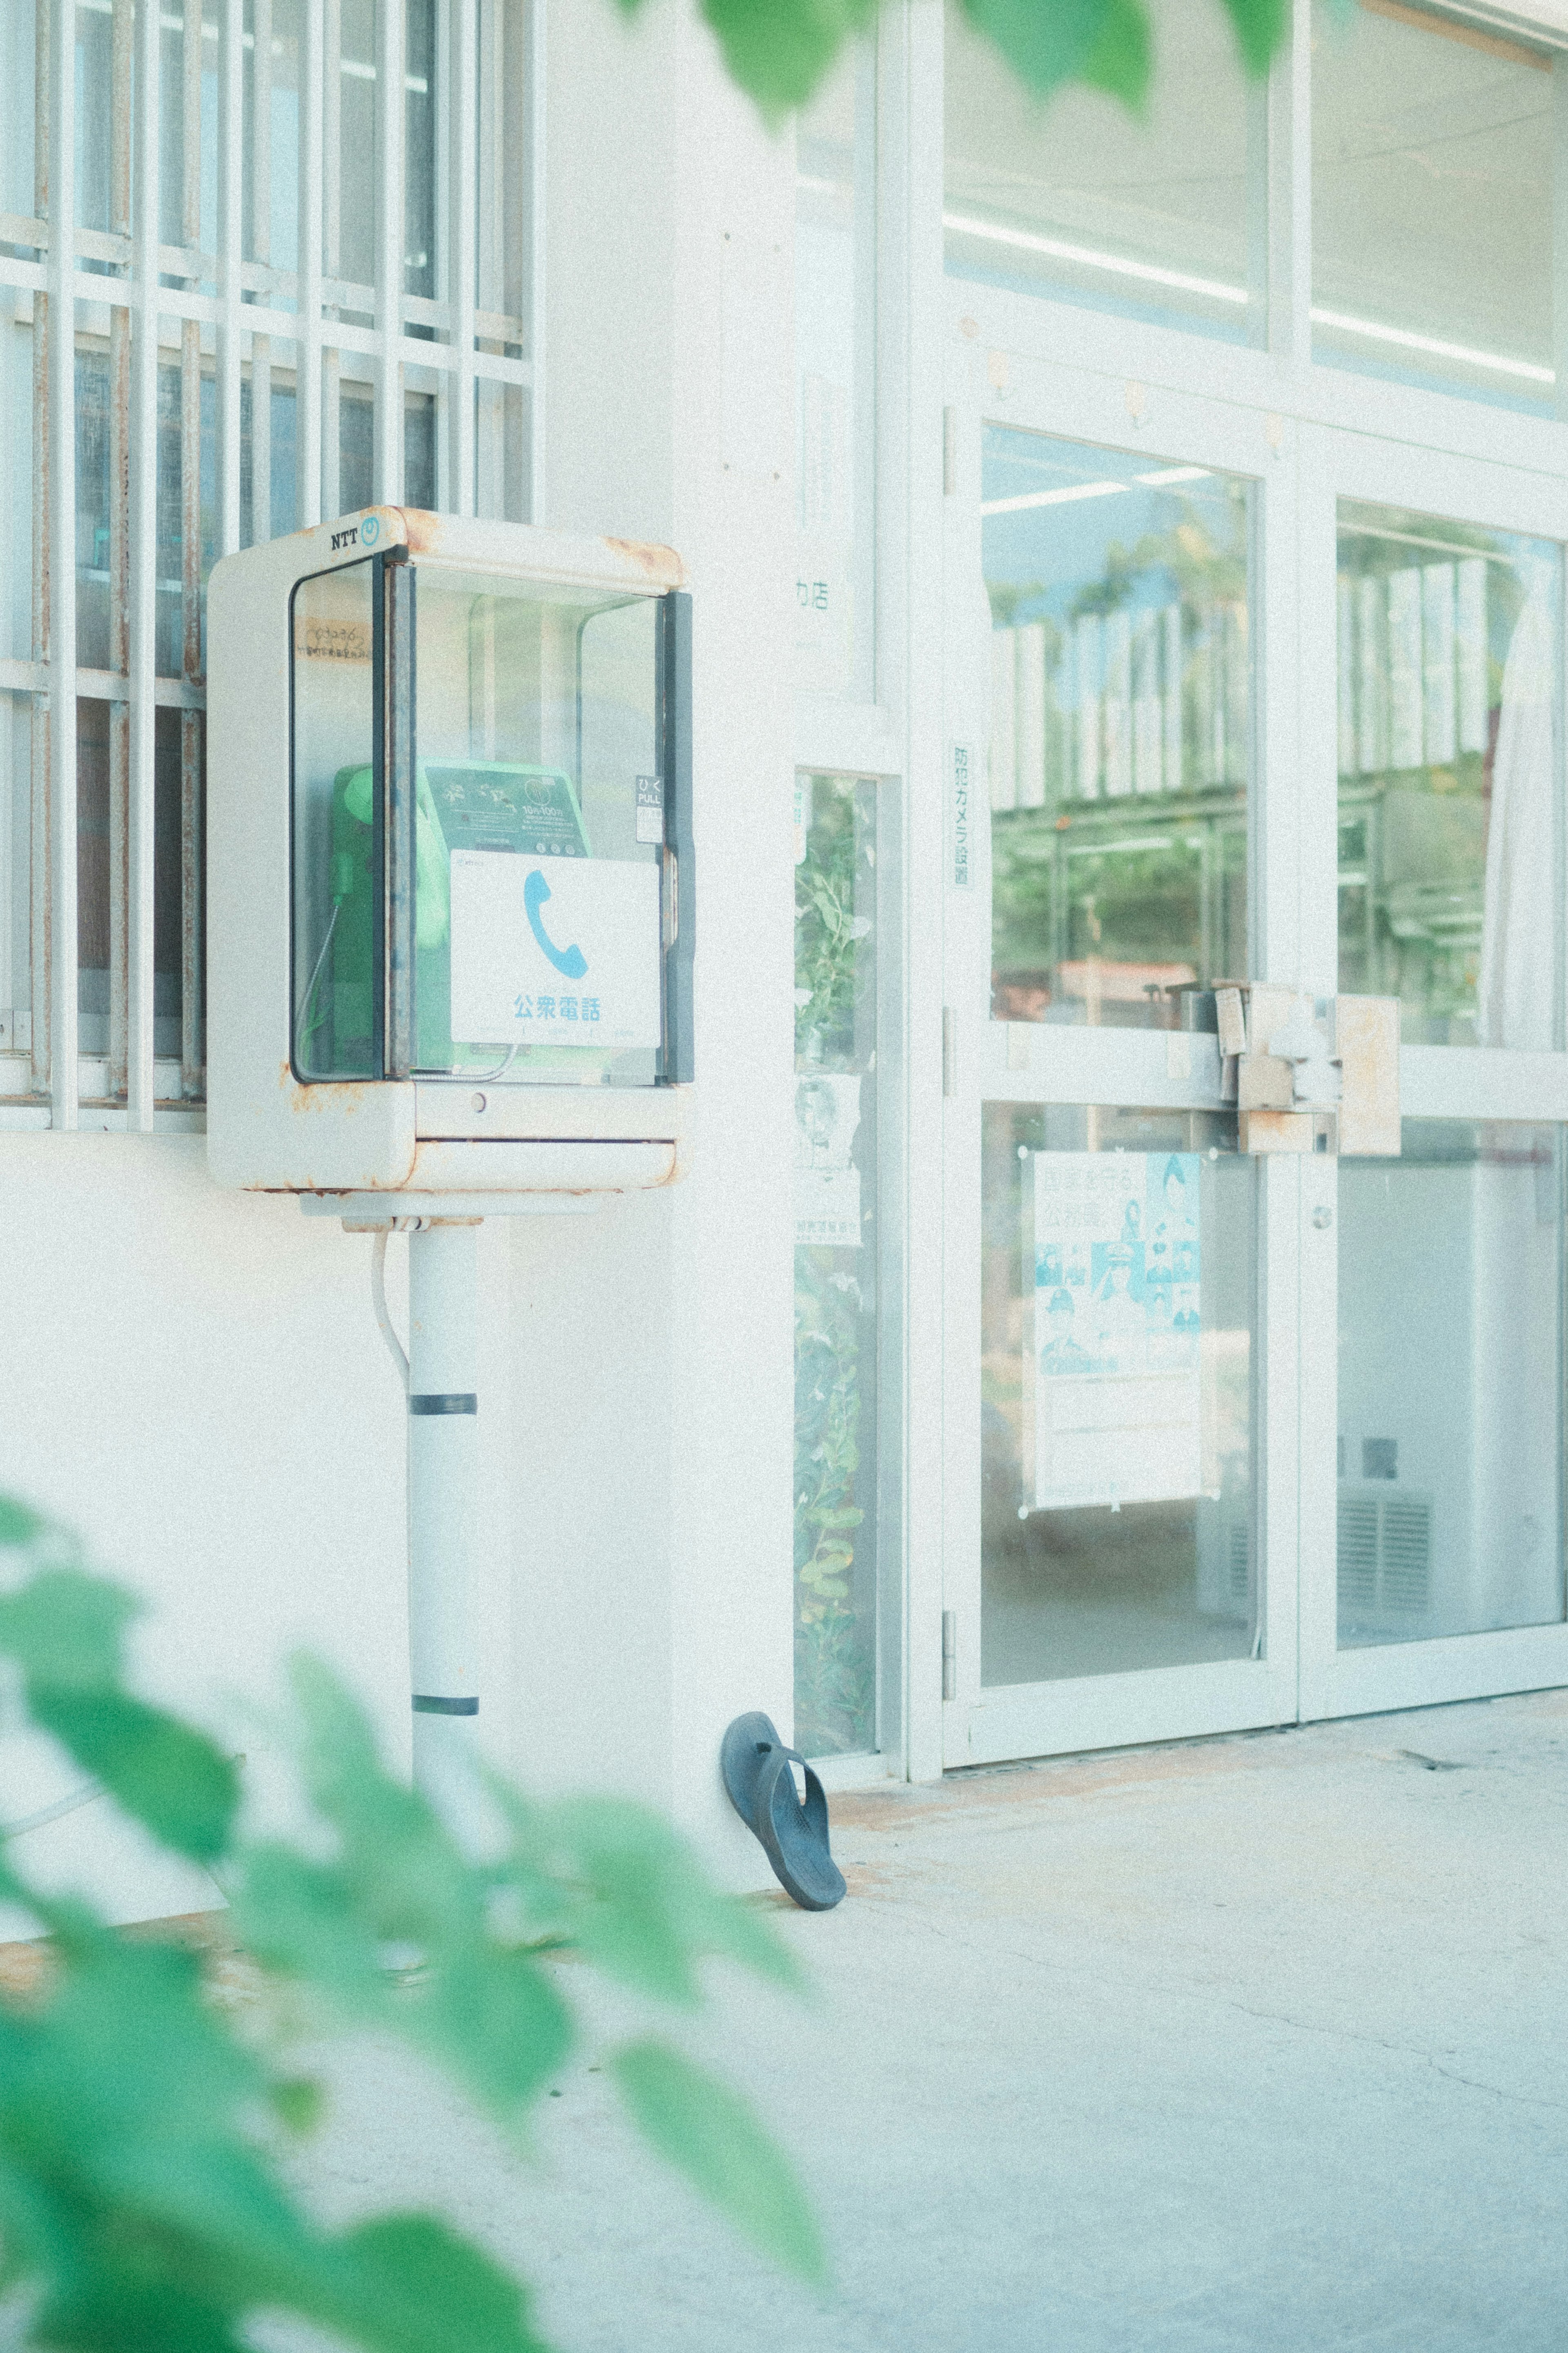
142	2194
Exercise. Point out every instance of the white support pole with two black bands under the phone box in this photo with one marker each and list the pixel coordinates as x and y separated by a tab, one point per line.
443	1486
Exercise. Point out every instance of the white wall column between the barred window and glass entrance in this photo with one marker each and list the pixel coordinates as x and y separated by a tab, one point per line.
652	1345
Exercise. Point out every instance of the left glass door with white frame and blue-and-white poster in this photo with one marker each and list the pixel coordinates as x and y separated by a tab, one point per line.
1120	1284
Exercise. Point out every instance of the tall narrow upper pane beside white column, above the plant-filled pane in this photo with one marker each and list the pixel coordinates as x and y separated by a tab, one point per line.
836	262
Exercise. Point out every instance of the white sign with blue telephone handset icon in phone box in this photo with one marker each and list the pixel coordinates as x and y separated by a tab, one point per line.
554	952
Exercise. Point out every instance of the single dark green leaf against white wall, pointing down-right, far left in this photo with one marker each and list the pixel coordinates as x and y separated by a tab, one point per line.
163	1773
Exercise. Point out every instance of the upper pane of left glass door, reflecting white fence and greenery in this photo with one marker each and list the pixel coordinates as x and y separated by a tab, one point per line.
1123	728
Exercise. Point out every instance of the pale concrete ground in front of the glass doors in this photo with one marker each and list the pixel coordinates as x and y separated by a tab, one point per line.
1257	2044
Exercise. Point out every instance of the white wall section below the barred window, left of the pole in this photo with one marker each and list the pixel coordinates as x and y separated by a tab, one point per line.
194	1380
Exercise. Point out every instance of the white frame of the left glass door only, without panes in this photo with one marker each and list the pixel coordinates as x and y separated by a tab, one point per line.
1153	1069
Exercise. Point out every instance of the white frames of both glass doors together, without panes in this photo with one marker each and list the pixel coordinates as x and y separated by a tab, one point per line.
1301	472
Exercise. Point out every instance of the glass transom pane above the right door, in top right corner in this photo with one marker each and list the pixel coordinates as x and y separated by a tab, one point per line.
1433	201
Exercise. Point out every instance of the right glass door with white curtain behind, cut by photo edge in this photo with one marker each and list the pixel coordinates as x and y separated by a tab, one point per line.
1435	1284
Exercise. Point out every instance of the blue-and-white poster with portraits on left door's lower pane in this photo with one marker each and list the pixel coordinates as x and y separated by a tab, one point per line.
1118	1401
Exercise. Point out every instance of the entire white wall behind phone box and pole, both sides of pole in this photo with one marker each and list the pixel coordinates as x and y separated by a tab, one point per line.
194	1378
